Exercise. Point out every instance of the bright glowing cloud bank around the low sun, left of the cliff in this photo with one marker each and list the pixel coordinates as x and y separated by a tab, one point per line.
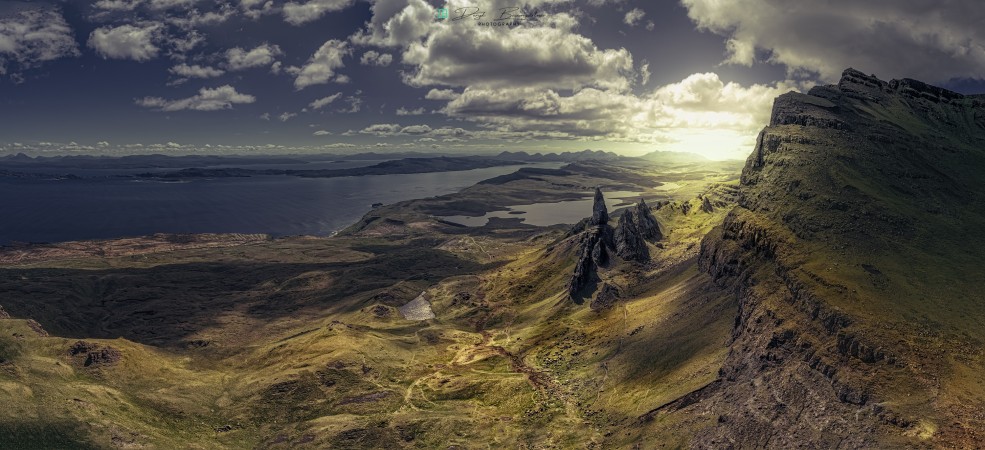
689	115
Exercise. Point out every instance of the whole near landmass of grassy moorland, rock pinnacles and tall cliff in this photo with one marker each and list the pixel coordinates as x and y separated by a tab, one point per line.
825	293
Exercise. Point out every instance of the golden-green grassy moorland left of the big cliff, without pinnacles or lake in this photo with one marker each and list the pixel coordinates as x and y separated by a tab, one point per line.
298	343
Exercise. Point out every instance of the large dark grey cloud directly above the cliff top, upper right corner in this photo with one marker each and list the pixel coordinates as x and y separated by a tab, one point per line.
932	41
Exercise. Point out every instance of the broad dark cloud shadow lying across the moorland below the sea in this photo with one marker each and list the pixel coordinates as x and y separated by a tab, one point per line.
165	305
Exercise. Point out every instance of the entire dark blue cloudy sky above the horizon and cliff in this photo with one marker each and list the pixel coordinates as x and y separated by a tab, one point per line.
343	76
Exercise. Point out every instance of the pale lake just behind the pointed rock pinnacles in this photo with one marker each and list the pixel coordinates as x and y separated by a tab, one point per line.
546	214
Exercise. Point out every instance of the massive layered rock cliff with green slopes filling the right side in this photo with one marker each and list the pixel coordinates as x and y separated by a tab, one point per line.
855	255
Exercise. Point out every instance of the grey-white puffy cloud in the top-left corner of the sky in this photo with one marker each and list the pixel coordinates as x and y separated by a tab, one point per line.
30	38
